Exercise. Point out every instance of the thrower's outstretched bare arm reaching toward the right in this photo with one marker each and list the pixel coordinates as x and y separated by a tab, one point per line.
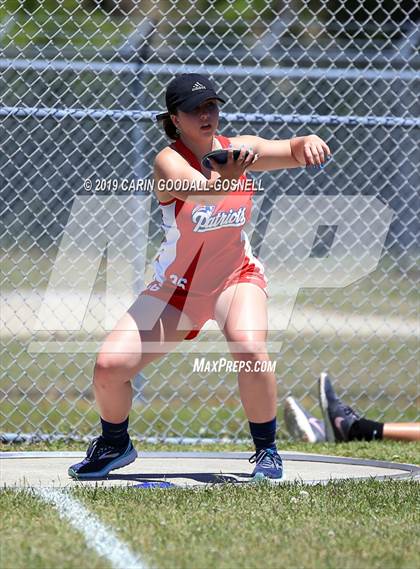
277	154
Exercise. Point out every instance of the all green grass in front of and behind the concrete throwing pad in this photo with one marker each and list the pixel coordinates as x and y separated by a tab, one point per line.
348	524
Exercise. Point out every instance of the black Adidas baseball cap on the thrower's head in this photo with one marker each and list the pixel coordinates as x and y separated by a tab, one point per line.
186	92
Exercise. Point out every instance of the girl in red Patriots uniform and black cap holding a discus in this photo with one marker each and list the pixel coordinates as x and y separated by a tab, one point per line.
204	270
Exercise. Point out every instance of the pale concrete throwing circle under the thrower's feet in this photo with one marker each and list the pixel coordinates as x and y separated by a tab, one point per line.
192	469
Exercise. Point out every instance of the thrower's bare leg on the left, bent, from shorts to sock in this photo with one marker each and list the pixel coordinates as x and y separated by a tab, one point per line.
124	354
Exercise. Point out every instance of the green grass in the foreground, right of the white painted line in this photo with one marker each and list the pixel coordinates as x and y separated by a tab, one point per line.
345	525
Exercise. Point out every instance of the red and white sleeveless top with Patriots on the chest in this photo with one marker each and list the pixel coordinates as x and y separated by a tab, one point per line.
204	245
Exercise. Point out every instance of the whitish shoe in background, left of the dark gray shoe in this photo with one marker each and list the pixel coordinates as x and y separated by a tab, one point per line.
302	426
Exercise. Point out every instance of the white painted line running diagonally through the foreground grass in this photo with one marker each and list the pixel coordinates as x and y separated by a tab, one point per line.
97	535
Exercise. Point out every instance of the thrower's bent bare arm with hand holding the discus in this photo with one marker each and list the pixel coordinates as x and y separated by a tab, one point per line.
174	177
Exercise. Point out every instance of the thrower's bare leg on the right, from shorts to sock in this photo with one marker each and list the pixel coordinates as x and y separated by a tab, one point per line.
241	312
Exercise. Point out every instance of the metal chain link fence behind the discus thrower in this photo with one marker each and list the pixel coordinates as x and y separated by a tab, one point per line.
80	84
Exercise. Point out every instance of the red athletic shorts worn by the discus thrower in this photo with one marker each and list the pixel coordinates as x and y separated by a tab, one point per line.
200	307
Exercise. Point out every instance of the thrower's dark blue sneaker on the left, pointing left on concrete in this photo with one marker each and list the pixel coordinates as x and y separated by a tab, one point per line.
101	458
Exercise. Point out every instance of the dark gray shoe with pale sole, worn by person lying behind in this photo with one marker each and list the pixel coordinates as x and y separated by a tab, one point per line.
338	417
